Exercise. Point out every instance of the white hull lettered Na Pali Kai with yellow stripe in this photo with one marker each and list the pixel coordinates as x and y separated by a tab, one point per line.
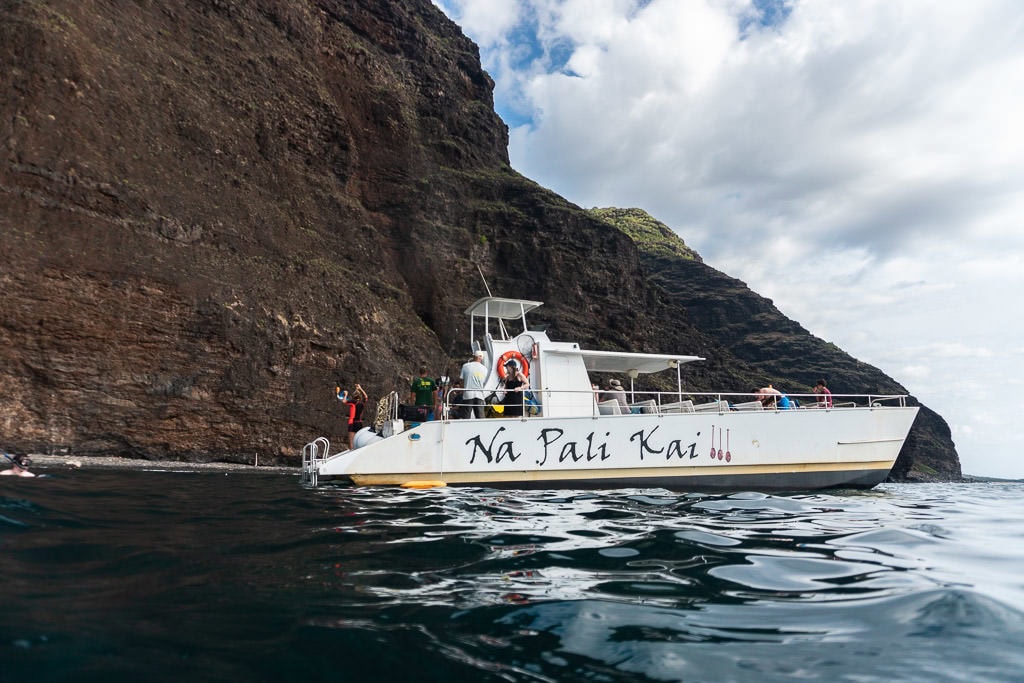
730	451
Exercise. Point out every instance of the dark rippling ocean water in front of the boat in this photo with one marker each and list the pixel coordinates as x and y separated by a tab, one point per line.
119	576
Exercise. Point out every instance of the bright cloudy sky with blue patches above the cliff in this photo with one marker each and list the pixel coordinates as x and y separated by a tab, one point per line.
861	163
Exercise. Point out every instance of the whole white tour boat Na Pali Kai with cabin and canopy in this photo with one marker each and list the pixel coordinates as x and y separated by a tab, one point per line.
574	439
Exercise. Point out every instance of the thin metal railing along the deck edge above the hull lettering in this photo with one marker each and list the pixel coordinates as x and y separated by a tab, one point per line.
666	403
